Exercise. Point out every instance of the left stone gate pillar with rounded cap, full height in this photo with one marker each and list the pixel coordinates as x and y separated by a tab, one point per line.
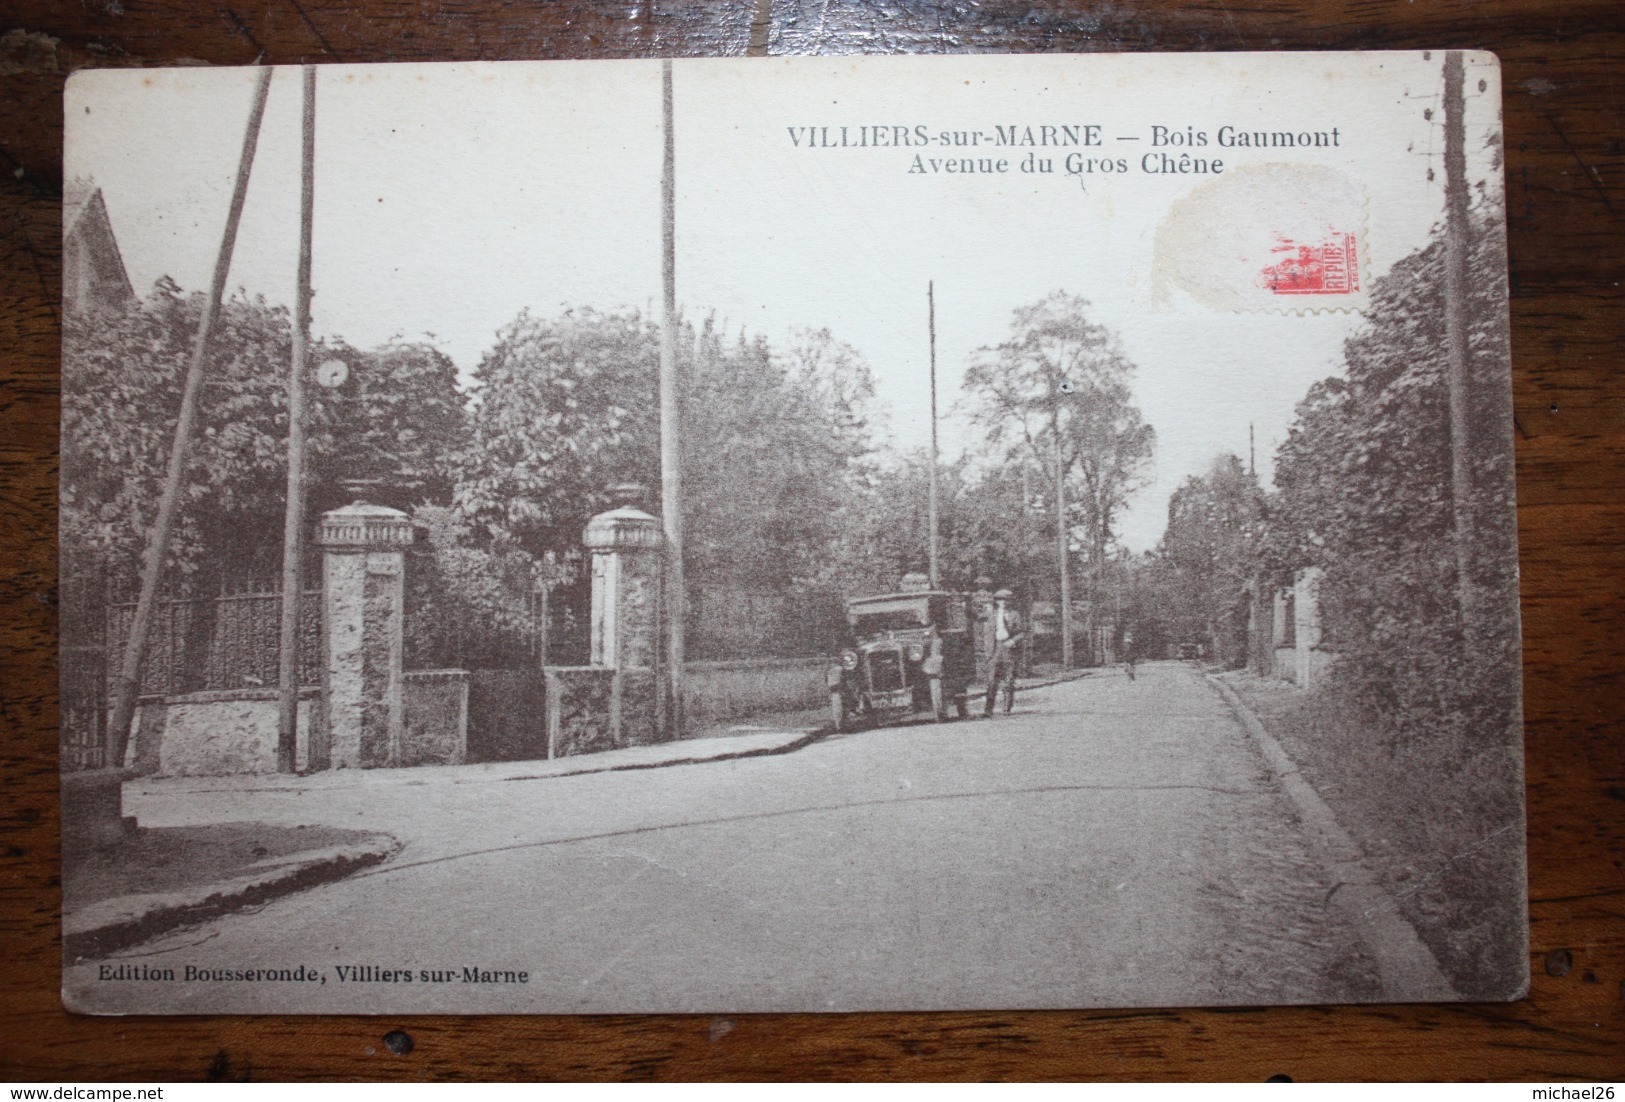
363	610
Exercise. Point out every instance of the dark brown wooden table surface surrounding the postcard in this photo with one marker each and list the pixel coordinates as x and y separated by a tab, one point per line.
1566	168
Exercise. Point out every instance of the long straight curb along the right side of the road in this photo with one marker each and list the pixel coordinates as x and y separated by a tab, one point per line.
1408	968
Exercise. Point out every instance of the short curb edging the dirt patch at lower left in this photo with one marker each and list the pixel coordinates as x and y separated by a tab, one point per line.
124	921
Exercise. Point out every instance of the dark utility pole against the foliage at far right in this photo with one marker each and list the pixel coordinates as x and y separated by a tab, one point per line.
1457	251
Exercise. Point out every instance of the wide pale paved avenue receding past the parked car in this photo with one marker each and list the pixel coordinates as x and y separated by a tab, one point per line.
1111	844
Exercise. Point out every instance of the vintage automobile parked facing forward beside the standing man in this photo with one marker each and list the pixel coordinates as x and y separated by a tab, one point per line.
906	653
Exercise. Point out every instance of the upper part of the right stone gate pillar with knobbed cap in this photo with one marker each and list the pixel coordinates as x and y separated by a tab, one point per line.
626	545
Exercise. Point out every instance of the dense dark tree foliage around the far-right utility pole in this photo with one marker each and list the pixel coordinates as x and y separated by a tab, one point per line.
1364	493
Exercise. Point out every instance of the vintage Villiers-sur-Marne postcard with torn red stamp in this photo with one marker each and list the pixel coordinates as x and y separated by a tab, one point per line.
789	536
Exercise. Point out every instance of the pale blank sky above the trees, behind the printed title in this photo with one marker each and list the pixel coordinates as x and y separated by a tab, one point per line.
453	197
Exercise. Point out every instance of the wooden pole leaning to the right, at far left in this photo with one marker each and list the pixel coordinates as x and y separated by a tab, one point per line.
158	537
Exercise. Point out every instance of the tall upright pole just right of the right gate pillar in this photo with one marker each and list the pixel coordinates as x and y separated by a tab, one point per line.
670	443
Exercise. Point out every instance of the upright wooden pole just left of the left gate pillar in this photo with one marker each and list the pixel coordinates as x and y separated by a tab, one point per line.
293	519
